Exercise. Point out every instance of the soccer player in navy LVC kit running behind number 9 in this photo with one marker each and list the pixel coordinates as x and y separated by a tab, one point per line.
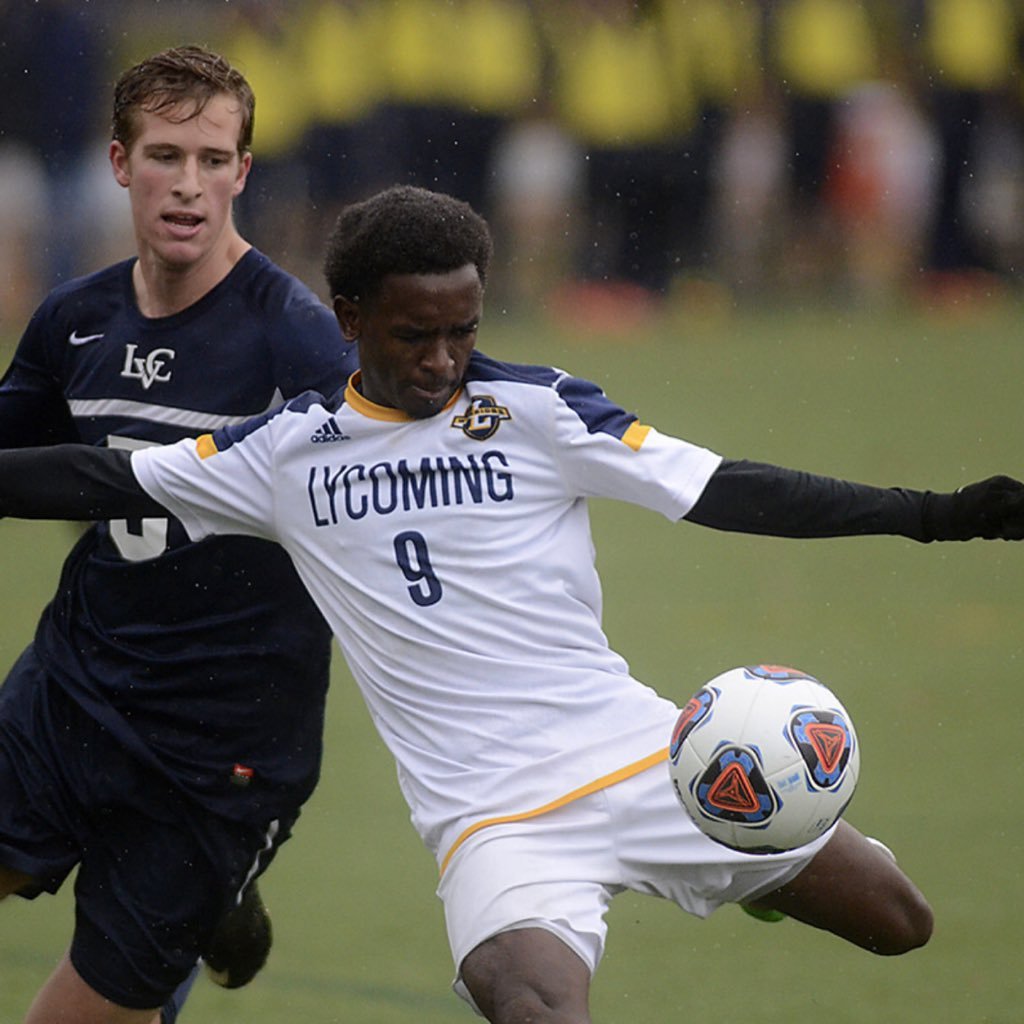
164	728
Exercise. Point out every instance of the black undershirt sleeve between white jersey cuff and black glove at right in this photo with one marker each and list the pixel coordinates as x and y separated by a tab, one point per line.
756	498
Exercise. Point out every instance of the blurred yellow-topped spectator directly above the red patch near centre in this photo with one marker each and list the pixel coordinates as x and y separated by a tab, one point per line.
615	96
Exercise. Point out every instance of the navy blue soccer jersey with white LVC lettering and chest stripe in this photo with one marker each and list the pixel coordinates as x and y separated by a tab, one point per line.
209	660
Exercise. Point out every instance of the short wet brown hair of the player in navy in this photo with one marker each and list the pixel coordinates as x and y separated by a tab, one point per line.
183	74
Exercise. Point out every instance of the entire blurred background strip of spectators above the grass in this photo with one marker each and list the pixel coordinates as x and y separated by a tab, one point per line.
634	156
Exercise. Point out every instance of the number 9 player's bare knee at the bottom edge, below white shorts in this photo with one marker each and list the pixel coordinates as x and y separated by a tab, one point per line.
528	975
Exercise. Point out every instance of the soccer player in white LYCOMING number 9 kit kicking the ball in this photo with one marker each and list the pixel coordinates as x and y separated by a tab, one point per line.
437	510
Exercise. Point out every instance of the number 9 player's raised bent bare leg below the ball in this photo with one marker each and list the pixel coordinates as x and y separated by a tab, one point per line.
855	889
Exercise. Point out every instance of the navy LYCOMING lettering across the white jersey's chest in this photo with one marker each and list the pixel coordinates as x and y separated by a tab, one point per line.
356	491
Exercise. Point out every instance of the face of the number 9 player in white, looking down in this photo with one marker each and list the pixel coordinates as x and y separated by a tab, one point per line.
415	338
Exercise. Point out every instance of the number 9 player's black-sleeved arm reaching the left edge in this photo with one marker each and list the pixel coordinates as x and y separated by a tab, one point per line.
72	482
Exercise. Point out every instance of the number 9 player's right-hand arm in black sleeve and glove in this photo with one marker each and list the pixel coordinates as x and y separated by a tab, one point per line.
755	498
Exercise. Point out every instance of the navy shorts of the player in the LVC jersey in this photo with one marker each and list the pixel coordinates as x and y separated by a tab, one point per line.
156	872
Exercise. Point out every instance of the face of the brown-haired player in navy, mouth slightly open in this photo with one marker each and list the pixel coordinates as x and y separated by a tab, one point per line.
183	177
